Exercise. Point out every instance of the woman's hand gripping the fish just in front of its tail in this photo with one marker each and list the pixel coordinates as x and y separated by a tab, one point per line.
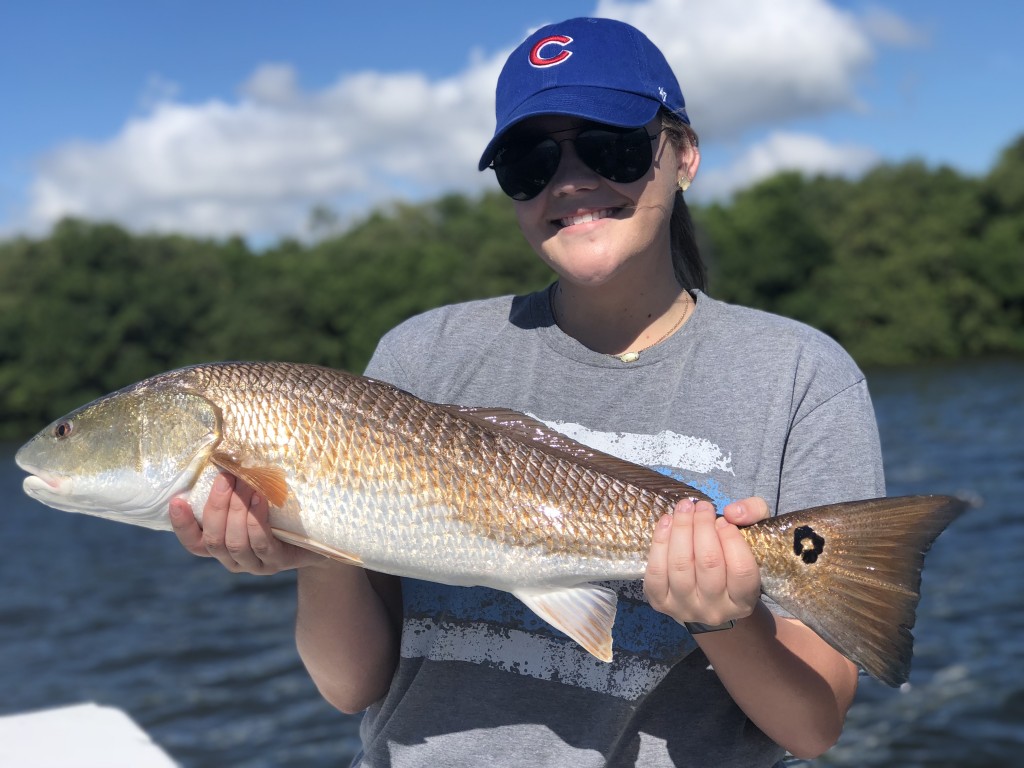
701	568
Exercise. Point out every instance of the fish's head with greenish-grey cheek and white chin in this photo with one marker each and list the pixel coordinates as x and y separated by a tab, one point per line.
124	456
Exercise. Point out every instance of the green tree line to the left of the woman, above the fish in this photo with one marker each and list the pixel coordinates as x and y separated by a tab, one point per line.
93	309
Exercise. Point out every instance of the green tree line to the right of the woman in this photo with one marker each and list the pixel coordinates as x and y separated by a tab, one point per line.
907	265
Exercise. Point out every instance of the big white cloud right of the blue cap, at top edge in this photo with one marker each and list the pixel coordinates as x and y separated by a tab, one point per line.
744	64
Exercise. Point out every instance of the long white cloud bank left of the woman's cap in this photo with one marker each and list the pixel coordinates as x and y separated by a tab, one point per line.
260	165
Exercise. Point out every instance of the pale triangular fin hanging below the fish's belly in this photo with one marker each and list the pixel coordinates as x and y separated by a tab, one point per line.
585	613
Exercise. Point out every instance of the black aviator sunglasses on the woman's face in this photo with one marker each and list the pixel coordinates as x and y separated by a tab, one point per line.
525	167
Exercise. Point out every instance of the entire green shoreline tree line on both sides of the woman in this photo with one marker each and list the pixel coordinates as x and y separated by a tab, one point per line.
905	266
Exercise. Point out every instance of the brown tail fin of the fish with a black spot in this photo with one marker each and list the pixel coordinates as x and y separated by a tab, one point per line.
854	574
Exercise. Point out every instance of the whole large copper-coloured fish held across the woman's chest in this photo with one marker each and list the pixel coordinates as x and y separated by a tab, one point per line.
368	475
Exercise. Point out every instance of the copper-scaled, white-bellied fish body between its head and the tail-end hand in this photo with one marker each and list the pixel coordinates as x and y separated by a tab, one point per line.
404	482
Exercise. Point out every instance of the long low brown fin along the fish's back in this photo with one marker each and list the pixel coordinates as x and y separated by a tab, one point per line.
534	434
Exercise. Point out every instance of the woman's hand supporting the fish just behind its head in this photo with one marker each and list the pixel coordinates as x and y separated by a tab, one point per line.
236	531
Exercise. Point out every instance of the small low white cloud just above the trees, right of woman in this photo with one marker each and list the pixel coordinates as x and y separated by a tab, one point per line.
785	152
